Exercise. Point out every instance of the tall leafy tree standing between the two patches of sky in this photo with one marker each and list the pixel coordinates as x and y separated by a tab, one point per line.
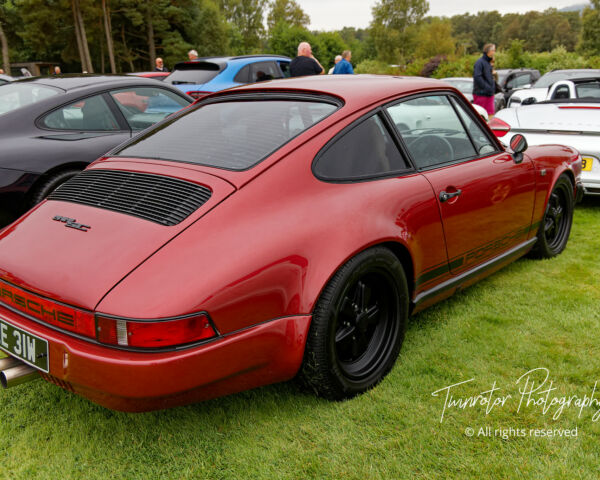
391	19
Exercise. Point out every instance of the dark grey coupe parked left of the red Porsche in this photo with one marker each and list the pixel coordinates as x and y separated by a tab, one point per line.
53	127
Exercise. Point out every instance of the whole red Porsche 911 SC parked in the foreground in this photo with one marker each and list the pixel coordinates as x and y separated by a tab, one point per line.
278	230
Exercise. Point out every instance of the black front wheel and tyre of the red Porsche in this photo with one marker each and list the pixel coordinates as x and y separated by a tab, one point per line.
555	227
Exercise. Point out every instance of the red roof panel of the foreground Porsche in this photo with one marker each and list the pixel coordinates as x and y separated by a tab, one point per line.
356	90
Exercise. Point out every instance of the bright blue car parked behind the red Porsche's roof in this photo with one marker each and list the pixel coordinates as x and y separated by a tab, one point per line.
210	74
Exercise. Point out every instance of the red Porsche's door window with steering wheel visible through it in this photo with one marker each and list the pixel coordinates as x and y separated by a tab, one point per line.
432	131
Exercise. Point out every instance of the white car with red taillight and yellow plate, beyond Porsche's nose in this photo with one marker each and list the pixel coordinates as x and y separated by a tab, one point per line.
572	122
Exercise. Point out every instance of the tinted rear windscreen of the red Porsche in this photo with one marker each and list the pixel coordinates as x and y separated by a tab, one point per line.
234	135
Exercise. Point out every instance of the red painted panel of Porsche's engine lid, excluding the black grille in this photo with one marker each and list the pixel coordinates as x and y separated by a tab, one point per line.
77	253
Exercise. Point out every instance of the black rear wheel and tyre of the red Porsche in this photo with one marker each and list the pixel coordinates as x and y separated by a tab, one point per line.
357	327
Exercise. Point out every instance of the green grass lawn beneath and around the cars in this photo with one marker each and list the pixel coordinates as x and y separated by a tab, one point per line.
530	315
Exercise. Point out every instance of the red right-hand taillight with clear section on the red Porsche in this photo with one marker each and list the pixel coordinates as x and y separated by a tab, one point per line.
153	334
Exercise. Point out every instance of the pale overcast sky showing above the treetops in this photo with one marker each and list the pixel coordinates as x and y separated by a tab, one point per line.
335	14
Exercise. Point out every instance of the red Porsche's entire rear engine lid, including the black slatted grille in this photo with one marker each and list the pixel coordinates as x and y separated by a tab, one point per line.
95	229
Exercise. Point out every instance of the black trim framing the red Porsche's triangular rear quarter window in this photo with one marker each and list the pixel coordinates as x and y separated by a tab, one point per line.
364	178
